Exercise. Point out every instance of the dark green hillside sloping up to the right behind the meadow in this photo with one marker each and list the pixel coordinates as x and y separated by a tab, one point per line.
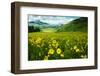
80	24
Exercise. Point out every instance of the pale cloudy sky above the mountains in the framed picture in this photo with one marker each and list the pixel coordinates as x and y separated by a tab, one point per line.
53	20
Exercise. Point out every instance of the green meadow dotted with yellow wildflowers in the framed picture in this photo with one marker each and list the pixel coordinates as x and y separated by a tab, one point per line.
57	45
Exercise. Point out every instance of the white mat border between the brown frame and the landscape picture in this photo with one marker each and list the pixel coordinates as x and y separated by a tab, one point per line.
25	64
